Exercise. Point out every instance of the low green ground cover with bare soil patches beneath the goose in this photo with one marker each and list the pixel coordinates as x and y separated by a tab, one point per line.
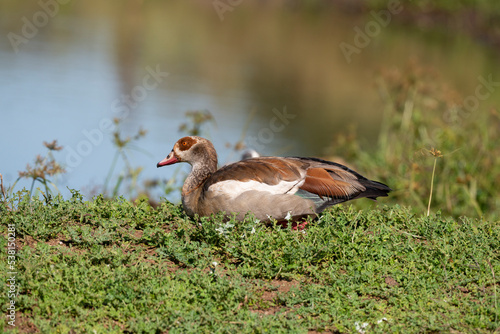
118	266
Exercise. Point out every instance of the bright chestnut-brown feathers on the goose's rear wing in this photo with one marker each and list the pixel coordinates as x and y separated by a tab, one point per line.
319	181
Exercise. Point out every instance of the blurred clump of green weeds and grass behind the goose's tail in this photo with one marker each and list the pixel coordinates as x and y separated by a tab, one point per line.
423	113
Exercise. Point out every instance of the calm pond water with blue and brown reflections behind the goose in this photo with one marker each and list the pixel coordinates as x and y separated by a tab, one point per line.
70	78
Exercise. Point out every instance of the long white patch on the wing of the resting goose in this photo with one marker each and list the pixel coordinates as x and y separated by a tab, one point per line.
235	188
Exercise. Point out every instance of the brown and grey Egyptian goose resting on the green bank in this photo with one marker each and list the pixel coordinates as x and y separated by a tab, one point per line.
291	188
